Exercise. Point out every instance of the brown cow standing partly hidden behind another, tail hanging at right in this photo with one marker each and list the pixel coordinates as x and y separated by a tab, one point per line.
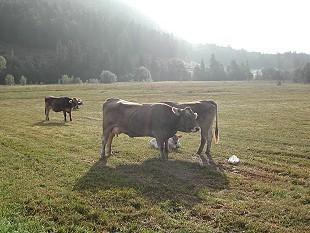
207	111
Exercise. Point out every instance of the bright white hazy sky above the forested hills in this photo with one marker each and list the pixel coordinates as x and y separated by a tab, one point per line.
267	26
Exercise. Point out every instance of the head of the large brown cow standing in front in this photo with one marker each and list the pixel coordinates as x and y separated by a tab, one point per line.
187	119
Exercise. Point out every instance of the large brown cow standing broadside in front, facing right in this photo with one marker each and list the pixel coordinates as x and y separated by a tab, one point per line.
138	120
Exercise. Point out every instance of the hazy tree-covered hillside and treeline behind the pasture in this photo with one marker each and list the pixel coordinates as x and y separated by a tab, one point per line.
74	41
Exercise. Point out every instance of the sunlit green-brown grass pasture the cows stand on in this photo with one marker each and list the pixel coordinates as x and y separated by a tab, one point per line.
51	178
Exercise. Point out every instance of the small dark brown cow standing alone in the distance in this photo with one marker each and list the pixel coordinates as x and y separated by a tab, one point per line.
59	104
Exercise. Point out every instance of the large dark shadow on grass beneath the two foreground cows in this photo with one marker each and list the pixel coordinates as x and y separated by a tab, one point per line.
156	180
